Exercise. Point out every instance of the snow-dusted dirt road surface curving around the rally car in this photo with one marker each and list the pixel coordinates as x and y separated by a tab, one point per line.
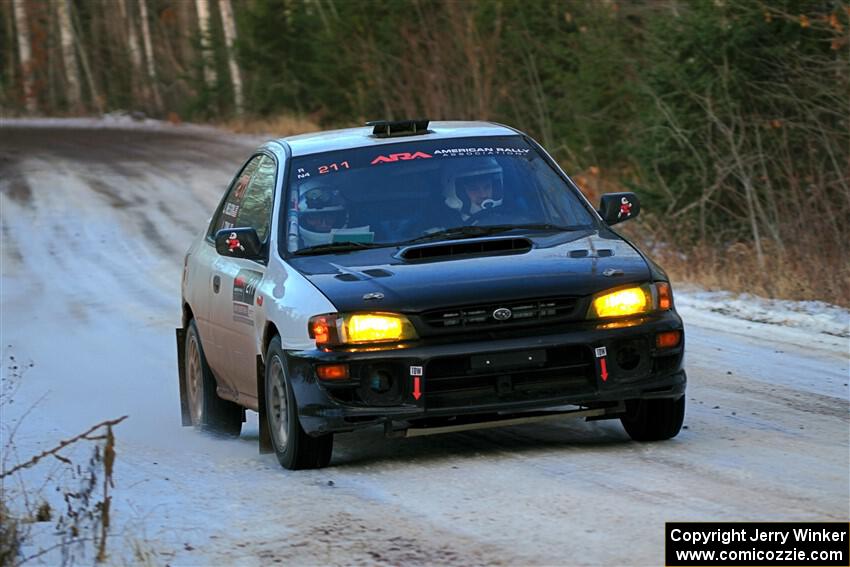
94	226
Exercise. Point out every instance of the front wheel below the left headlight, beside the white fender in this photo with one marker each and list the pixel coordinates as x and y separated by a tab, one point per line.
293	447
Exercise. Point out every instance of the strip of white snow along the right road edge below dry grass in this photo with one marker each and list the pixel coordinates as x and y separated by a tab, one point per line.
814	316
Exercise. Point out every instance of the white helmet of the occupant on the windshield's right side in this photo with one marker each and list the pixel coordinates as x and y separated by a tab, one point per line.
474	189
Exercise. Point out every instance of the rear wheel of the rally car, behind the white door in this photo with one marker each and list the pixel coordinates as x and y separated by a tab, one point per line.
207	410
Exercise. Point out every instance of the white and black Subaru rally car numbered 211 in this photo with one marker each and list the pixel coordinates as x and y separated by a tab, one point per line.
425	277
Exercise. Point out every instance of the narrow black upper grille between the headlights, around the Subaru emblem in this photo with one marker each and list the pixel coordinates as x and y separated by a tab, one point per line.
520	312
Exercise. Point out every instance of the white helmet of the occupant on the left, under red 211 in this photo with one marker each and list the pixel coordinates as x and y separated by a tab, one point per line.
321	209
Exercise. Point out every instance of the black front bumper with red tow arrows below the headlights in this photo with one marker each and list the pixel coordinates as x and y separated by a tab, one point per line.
591	364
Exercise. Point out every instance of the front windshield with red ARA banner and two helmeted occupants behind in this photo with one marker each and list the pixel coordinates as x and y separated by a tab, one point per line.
425	190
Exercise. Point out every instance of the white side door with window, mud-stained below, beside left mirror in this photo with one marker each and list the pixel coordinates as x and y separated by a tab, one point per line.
234	305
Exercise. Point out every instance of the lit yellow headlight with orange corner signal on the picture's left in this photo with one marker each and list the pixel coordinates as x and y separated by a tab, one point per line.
360	328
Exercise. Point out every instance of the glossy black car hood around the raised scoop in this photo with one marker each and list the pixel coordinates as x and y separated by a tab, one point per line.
571	264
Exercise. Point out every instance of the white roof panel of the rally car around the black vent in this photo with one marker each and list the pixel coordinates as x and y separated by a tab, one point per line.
331	140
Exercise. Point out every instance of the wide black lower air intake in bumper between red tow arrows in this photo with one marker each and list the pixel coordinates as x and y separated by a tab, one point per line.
456	381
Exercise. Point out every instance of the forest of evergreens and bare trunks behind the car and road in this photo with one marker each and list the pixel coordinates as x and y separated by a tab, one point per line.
730	119
